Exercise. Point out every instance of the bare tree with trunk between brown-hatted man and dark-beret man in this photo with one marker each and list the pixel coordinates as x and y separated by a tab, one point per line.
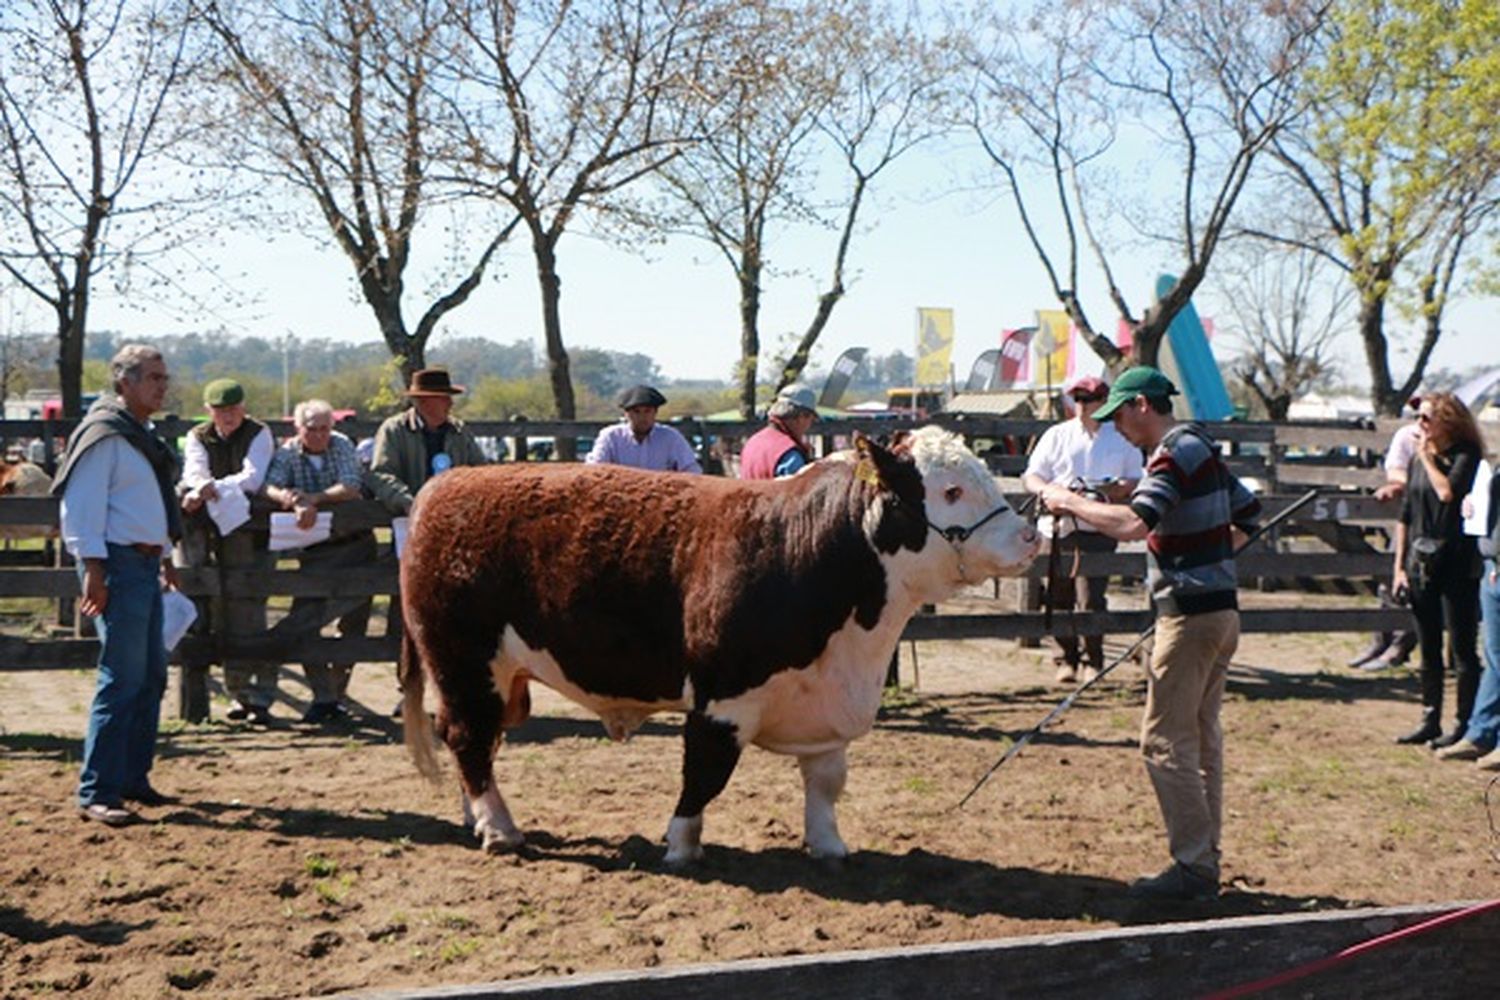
571	106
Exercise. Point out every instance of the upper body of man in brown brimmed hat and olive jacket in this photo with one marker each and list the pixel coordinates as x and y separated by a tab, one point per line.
421	443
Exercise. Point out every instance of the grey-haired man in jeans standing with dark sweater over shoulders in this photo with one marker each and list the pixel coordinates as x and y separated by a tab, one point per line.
119	519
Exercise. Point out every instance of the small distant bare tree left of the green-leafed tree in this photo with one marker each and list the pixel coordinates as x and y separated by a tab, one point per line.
1288	311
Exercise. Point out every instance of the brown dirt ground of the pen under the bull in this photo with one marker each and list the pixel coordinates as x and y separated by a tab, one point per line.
317	861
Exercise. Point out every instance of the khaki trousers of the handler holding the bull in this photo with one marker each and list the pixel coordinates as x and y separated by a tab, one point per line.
1181	737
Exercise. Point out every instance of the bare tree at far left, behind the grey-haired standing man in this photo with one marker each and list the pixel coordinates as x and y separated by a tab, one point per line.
85	89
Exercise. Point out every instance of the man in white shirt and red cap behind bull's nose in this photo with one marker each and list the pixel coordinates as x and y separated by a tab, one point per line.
1082	455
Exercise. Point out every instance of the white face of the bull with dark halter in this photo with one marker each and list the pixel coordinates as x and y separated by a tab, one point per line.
961	493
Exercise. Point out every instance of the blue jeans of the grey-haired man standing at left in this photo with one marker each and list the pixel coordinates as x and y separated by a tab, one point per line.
133	678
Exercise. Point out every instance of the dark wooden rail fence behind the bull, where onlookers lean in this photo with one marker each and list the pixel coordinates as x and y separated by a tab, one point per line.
1286	460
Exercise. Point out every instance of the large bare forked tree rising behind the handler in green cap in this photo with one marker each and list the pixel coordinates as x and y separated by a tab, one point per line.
1201	86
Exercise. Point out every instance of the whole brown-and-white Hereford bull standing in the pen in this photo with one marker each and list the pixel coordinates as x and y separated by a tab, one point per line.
764	611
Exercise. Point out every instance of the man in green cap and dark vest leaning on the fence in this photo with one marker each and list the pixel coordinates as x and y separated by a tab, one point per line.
230	454
